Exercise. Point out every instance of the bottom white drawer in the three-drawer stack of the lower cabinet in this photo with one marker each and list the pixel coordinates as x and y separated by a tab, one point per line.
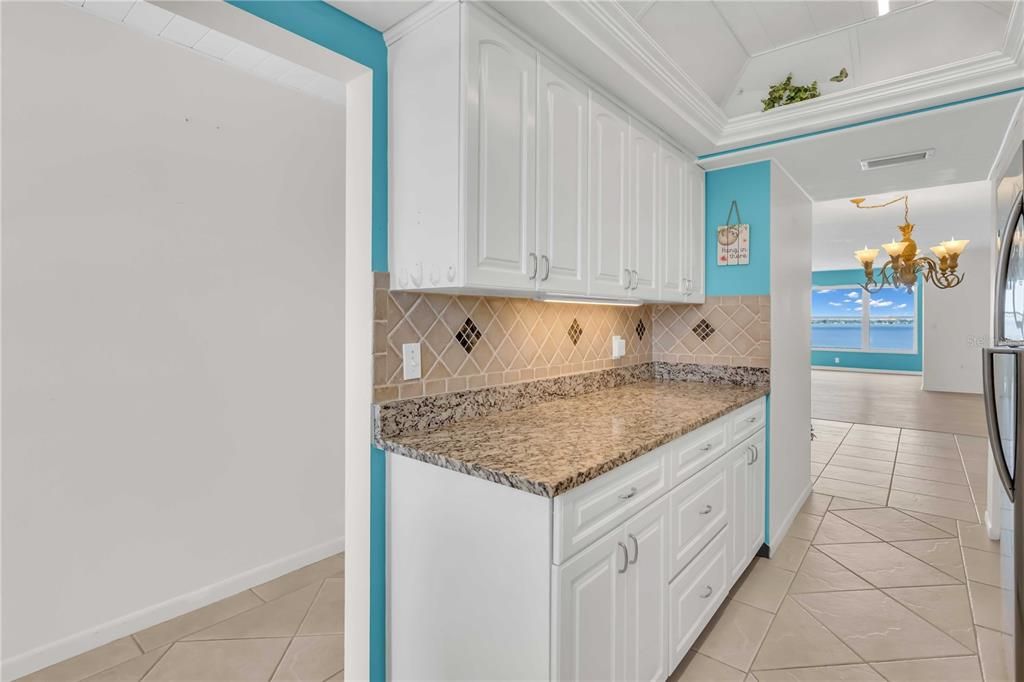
695	596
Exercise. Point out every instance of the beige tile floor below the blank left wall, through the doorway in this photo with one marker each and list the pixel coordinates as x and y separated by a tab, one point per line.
287	629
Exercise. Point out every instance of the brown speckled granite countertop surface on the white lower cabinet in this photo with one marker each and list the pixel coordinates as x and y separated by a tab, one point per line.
550	448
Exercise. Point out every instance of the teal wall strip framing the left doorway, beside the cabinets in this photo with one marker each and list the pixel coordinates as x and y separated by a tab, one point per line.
330	28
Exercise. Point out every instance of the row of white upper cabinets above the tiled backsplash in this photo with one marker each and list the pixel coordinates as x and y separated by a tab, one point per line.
510	176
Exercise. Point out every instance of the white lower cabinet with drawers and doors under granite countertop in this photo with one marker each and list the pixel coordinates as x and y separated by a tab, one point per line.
614	580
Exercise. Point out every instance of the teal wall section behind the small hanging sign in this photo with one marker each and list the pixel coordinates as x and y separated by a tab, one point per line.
750	186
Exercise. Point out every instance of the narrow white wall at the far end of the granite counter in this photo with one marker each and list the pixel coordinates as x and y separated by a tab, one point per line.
791	353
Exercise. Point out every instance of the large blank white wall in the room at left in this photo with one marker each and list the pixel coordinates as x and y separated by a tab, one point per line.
173	275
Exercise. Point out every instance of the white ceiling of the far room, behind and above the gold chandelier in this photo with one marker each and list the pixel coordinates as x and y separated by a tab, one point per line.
937	214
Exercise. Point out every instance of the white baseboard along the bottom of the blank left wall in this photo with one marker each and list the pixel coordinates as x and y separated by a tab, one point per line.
62	650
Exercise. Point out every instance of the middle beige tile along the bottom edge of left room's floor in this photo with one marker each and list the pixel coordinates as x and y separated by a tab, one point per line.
220	660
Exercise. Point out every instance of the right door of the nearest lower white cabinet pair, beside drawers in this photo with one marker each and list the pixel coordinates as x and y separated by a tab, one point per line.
647	594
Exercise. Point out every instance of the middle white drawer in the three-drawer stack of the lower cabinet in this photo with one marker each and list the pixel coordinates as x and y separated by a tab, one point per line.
698	513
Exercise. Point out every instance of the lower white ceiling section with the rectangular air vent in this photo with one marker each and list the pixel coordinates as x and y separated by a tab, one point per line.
966	140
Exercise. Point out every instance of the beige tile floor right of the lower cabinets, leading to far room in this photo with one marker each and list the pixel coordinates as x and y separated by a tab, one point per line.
886	574
